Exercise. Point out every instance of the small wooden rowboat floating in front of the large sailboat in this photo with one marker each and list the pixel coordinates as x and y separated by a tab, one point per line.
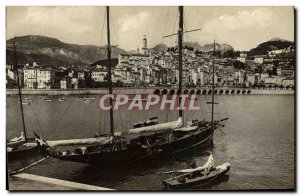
196	178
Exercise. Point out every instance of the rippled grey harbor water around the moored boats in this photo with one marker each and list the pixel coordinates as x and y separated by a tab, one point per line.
258	140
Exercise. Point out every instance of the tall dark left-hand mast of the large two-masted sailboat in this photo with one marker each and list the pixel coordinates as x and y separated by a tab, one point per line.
111	115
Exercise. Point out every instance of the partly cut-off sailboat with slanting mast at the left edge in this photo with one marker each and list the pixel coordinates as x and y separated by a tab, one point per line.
18	145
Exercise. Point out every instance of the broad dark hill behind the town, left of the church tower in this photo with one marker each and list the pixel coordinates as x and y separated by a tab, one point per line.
51	51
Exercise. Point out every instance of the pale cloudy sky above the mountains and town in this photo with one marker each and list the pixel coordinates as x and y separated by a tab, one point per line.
242	27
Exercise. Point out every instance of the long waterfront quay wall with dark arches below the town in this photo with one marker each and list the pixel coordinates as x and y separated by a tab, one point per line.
152	90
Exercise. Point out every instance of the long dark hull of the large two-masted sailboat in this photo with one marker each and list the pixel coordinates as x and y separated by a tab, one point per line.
134	155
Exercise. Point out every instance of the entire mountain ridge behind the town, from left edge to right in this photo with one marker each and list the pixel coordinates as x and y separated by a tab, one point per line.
52	51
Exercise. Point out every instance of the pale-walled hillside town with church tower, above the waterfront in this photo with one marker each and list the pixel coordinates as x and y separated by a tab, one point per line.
149	68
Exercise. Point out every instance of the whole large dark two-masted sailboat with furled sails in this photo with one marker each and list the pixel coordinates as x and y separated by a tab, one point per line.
141	142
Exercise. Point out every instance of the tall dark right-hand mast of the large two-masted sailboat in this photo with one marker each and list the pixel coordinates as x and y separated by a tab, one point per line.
180	38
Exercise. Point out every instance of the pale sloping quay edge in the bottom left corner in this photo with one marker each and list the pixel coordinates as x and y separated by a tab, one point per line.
25	181
